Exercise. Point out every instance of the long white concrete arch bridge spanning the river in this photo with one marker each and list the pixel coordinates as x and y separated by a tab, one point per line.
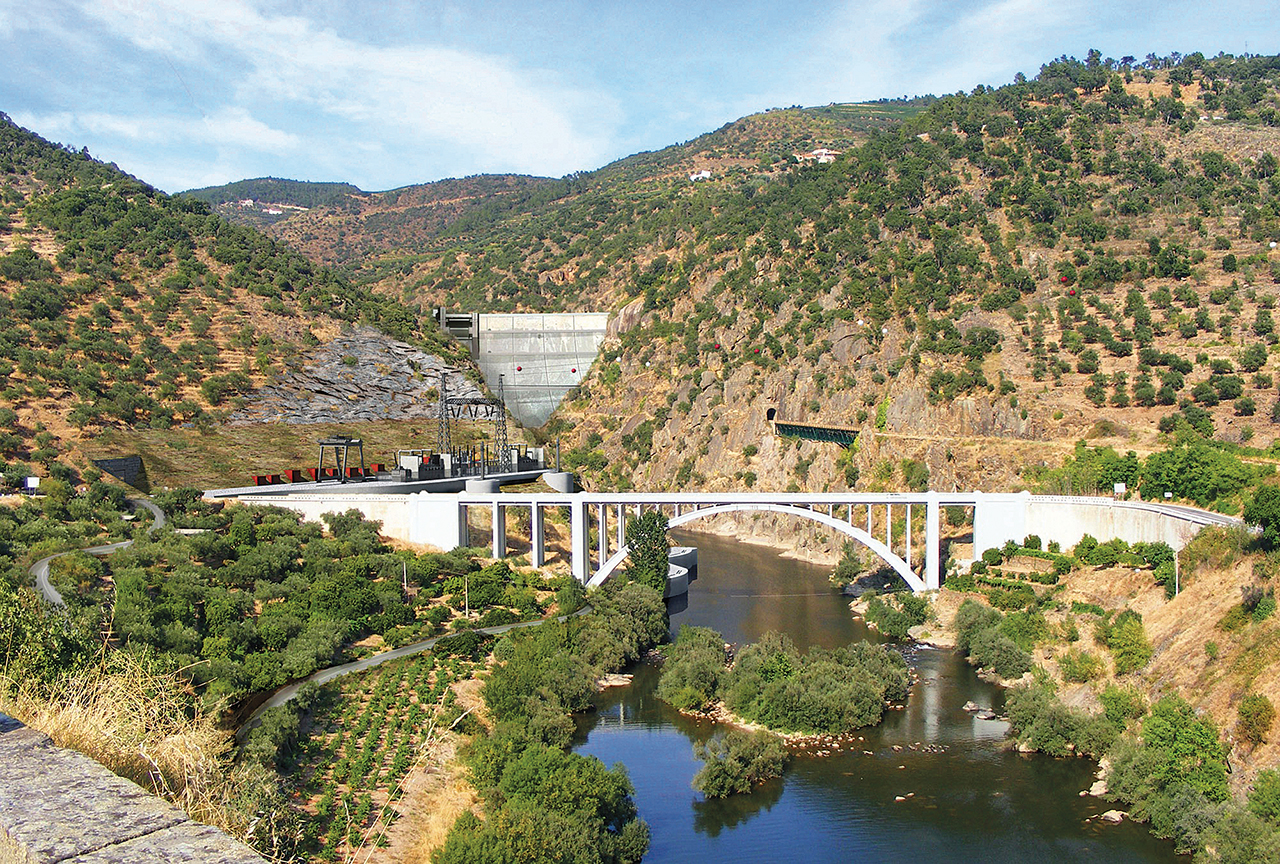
442	520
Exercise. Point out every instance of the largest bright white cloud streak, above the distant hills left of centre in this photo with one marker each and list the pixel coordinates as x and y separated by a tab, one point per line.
486	109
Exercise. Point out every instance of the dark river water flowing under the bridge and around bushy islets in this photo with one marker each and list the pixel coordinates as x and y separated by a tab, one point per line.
968	799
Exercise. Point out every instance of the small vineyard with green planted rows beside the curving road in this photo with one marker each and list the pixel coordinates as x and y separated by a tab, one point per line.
367	733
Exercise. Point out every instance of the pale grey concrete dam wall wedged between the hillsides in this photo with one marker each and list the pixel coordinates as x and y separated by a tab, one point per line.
541	358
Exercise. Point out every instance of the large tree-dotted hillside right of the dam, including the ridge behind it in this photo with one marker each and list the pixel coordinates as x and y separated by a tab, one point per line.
976	286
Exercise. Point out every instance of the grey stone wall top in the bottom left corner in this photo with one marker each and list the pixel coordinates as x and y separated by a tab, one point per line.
60	806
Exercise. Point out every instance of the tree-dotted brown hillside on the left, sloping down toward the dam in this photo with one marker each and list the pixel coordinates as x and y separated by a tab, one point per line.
122	308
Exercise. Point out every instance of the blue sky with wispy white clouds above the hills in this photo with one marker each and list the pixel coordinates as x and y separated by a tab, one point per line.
186	94
